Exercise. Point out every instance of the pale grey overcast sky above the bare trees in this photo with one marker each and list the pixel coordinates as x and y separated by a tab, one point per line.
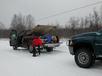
42	8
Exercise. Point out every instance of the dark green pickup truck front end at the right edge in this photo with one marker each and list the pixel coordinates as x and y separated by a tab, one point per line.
86	48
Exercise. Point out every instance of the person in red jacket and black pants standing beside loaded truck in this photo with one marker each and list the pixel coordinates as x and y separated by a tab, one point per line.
37	42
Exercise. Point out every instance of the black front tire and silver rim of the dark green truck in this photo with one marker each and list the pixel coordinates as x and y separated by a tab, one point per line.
84	58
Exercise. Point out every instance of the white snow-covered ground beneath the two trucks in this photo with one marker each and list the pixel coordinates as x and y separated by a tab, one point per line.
57	63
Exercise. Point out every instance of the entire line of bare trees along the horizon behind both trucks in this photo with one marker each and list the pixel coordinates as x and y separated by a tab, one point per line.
92	22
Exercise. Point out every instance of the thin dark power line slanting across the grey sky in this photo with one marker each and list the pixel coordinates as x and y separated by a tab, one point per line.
68	11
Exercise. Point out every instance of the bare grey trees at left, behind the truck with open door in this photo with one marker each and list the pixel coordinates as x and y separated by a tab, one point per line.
19	23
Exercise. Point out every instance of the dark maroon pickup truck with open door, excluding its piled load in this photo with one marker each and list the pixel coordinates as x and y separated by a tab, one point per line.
23	39
